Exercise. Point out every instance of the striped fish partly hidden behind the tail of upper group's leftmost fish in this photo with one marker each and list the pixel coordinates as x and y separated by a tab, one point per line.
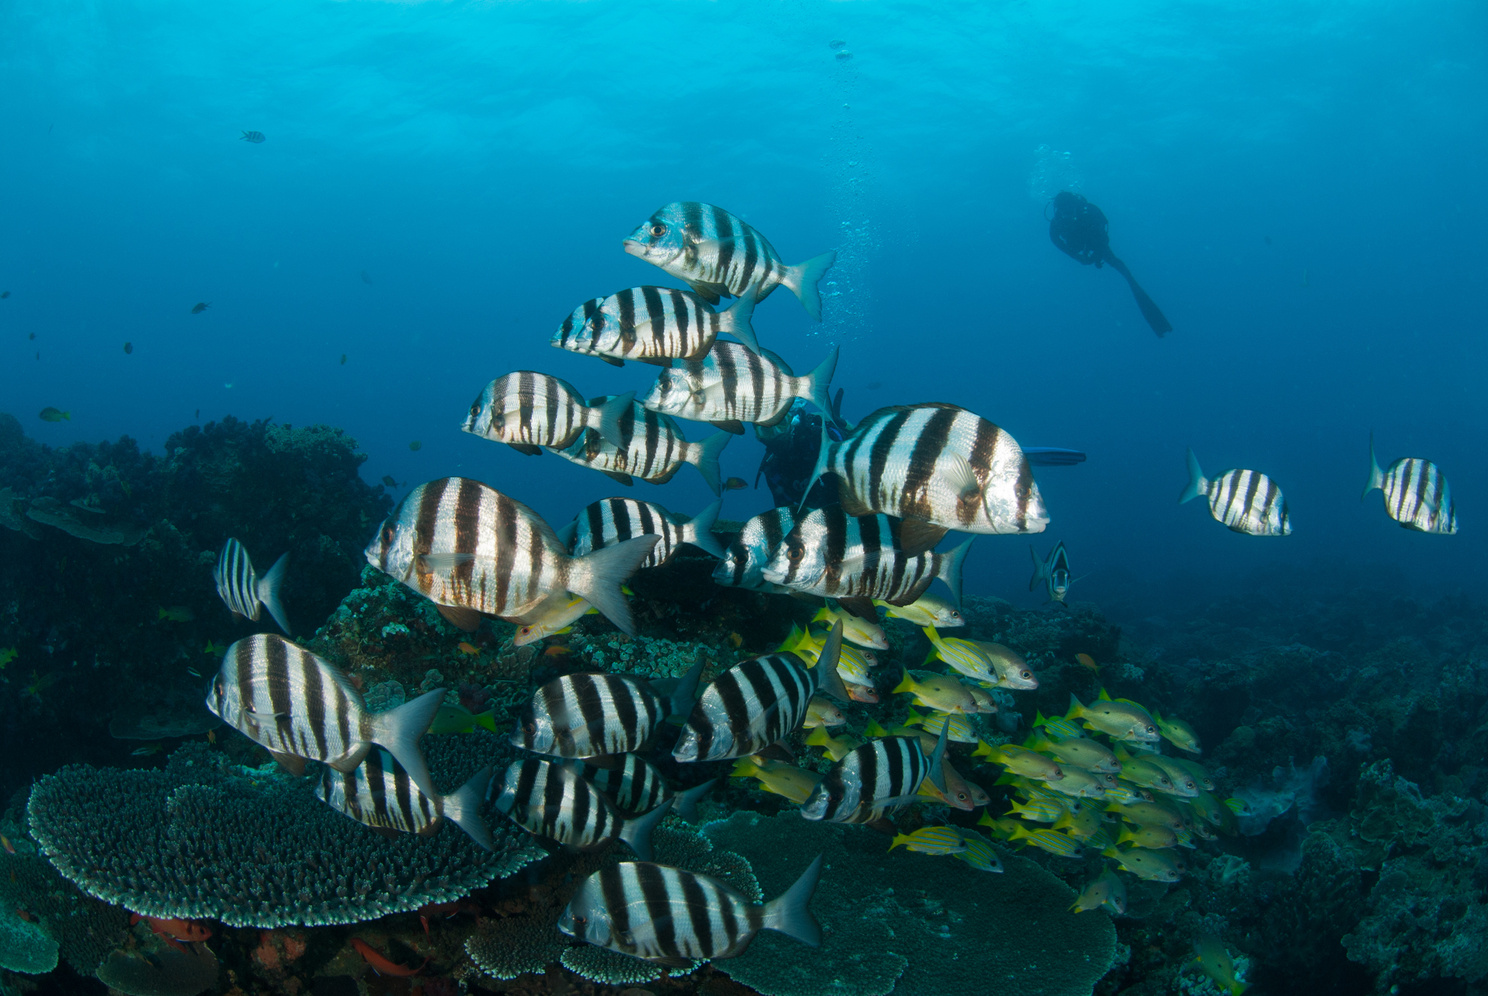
650	447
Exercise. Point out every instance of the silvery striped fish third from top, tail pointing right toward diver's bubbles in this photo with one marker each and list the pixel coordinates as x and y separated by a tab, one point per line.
731	386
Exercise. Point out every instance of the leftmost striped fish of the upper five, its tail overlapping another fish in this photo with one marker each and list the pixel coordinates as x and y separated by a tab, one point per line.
529	412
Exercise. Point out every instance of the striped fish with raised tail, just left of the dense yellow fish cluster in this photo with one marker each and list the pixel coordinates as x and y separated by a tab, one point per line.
879	776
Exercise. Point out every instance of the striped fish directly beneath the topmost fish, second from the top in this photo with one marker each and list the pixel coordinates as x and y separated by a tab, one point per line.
654	325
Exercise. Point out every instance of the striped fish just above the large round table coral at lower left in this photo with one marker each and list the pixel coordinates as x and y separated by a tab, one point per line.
380	794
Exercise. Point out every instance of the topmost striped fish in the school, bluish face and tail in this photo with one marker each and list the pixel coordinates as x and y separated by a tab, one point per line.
719	257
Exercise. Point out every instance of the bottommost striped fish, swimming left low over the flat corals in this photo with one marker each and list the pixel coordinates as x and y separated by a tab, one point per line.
669	915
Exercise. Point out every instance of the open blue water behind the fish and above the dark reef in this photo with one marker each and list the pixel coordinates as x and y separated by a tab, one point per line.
1295	184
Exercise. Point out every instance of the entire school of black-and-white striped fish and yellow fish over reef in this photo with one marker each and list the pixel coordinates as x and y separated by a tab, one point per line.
1108	776
